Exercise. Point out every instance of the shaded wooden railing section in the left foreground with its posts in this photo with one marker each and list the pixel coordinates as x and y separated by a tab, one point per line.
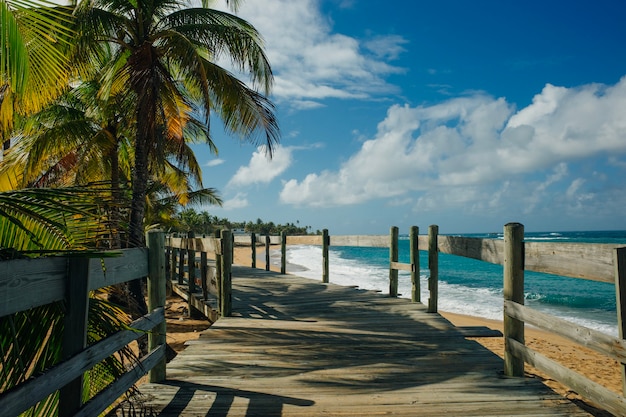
25	284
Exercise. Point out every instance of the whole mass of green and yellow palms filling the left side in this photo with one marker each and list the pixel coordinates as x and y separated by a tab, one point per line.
99	103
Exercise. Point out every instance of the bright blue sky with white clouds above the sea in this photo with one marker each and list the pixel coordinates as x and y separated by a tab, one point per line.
464	114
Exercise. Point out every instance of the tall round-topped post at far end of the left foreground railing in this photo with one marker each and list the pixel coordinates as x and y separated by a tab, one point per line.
156	296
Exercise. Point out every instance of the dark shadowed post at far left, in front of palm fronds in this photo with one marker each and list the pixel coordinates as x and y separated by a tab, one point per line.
75	330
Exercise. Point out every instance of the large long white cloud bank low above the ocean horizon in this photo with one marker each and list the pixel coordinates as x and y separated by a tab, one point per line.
475	149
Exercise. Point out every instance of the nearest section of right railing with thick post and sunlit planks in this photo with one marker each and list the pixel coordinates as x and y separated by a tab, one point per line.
597	262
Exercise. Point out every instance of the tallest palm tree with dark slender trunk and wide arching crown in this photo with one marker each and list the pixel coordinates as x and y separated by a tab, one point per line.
167	54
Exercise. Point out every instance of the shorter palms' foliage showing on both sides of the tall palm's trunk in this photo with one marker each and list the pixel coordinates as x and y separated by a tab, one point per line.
82	138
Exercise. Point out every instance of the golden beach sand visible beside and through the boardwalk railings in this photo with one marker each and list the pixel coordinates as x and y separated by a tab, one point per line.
593	365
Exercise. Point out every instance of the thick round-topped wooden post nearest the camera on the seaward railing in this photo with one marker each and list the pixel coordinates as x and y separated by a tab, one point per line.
513	291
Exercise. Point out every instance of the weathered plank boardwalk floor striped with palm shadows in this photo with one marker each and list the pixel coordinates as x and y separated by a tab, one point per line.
296	347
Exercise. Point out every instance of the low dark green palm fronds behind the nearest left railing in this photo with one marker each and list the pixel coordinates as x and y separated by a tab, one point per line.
36	222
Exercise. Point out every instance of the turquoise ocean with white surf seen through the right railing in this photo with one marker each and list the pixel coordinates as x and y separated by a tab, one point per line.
468	286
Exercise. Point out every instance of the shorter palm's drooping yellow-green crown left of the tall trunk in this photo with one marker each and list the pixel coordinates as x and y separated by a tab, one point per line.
73	141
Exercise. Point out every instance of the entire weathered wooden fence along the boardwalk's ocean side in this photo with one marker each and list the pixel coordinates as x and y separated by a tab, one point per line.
599	262
